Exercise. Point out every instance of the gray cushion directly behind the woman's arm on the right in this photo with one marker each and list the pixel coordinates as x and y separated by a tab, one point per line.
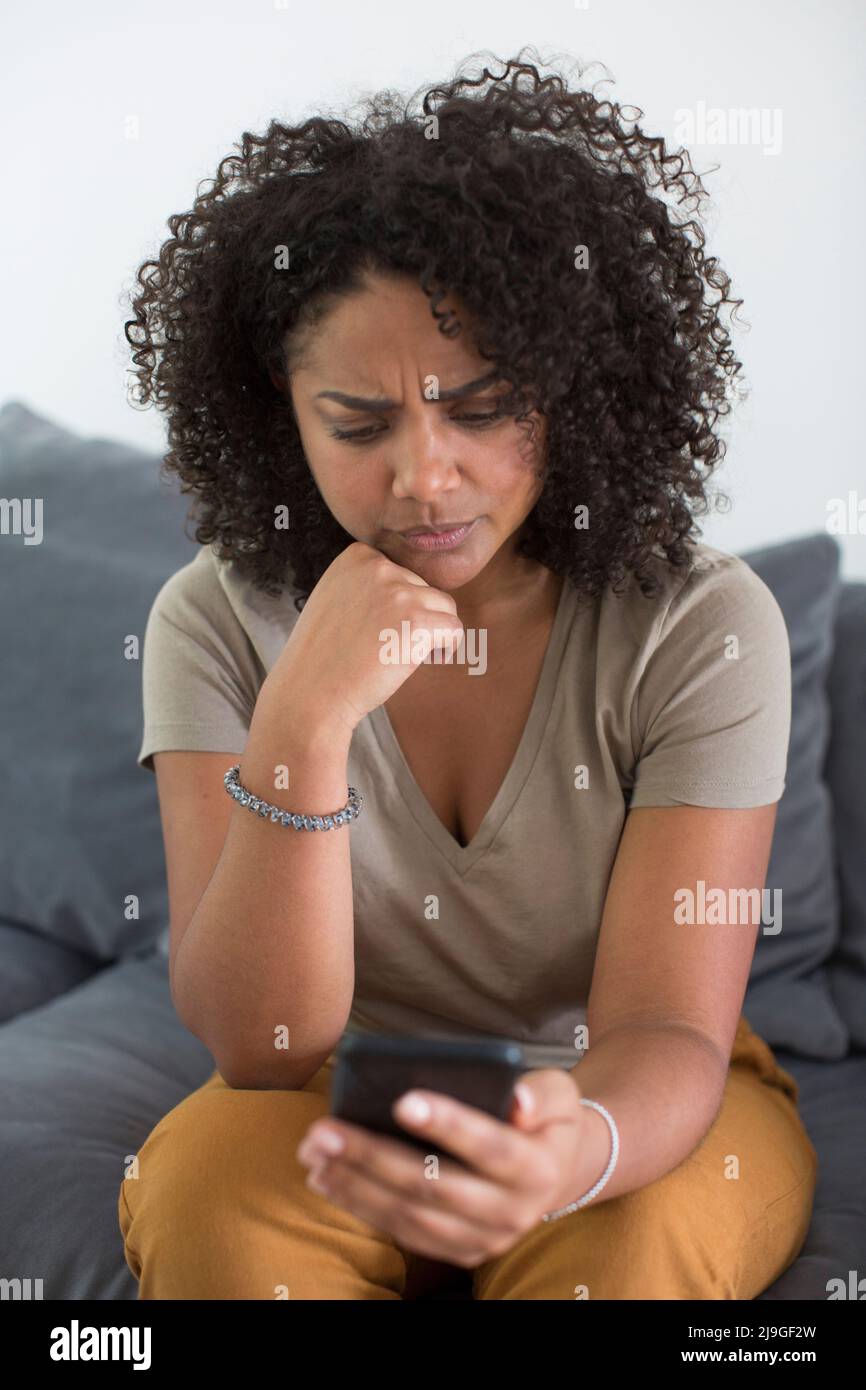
789	1000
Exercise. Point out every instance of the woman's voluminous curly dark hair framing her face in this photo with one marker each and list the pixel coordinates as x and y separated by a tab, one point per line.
487	191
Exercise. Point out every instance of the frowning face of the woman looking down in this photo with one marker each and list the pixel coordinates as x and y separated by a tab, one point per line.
397	443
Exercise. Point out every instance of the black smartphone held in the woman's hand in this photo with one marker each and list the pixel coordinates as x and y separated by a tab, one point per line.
375	1070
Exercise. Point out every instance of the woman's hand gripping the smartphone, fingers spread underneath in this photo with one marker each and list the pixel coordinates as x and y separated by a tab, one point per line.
518	1172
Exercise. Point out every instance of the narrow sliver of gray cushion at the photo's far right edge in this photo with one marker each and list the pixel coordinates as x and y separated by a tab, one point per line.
846	774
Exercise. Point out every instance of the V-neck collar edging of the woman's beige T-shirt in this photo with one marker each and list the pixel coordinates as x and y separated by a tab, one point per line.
464	857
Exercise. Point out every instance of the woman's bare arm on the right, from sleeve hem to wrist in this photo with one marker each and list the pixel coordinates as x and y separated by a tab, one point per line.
667	996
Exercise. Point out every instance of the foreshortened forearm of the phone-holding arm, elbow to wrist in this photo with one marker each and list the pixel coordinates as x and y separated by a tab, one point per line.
664	1086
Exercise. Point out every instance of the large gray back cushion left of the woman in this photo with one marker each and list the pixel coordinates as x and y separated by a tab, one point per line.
80	826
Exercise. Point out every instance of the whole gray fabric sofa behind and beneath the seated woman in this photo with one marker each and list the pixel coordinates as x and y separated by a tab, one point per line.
91	1052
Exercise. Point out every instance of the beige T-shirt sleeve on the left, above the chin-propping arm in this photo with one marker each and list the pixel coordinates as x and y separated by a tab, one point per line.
198	669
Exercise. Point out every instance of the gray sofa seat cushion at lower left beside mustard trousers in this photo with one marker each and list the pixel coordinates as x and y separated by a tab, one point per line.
83	1084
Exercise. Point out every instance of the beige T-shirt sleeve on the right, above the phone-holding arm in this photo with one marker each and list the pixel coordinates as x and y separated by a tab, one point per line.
712	710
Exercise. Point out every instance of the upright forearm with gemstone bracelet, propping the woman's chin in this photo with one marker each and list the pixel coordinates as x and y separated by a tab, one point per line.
265	974
